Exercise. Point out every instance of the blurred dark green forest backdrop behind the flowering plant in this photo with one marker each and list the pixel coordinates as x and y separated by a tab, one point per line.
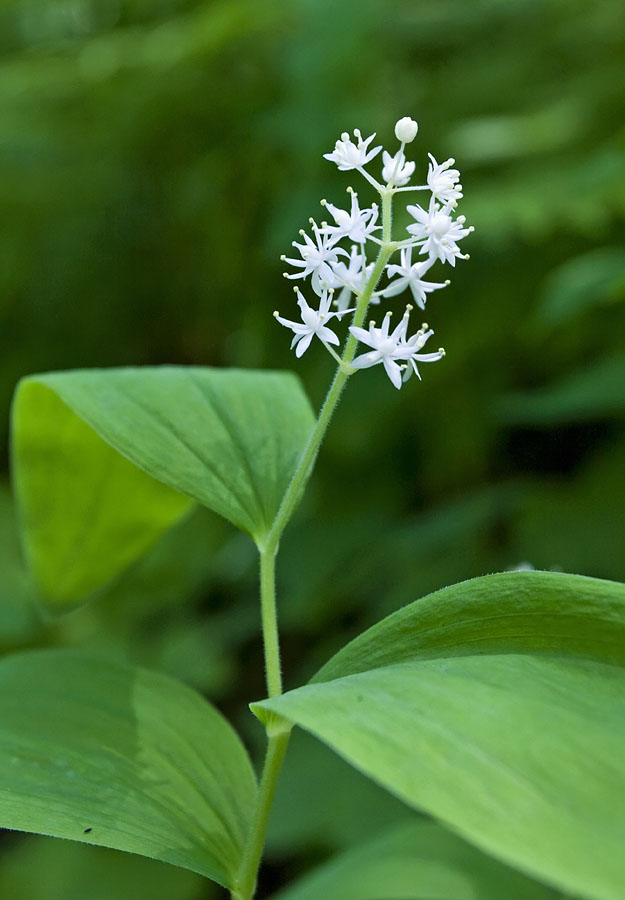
156	158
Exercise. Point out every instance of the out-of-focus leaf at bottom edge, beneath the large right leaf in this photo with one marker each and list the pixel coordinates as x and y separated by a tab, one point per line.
417	860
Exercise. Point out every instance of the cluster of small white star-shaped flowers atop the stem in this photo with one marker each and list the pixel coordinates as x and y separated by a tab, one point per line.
346	276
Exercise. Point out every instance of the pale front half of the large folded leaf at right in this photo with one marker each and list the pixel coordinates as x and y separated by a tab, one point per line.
522	755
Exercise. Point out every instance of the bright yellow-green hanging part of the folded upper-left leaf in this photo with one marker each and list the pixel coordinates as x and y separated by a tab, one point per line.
86	512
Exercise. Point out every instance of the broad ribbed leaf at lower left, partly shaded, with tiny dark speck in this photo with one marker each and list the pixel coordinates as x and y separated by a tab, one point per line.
122	757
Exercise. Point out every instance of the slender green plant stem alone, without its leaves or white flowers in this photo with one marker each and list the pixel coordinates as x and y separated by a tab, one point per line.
277	743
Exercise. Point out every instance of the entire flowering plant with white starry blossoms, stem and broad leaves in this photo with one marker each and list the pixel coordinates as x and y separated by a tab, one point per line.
496	706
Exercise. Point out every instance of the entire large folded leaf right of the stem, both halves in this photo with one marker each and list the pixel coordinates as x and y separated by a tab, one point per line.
497	706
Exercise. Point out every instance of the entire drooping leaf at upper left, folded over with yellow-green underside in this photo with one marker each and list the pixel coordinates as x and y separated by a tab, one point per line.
229	439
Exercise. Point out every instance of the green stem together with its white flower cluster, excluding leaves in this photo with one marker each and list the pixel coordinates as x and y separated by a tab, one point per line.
435	234
